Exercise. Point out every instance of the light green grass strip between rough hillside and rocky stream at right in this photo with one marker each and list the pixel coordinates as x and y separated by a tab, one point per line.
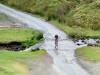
76	31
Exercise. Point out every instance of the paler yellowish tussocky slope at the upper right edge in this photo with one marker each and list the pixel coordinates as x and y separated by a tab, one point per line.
87	15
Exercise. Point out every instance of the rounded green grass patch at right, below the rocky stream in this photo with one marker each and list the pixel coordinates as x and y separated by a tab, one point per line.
89	53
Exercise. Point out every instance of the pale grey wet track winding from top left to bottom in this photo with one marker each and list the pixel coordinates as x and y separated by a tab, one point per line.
63	58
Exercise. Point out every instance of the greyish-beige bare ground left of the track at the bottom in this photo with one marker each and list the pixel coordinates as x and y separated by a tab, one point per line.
41	65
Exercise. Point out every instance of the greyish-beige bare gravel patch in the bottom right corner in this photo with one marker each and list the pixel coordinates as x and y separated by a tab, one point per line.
91	66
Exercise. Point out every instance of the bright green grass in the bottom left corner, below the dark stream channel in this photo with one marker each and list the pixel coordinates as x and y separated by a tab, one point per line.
10	66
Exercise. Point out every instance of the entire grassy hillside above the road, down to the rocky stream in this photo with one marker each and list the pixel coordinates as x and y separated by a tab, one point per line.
66	14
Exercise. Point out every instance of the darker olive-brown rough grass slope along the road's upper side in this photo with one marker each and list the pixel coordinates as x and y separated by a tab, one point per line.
54	9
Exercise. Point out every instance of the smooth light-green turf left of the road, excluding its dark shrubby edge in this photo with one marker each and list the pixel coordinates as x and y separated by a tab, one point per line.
16	34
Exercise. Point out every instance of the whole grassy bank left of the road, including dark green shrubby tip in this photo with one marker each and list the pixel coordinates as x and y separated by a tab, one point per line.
27	37
